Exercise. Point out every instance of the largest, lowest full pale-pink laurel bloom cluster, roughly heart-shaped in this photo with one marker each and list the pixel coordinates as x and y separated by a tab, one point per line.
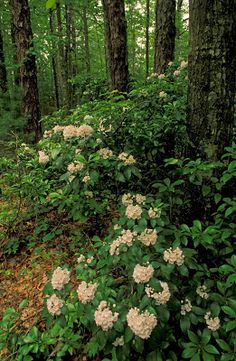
141	323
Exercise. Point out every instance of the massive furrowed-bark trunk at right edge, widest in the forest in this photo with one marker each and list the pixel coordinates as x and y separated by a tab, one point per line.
212	68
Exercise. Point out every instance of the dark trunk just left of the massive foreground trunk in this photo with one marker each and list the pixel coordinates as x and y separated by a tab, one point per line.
164	34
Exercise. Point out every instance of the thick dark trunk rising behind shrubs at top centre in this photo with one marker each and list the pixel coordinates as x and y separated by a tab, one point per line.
117	43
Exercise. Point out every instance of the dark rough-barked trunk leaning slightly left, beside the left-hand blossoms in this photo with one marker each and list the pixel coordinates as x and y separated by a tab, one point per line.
22	33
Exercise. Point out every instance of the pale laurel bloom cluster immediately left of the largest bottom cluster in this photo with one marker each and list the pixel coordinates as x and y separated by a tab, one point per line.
104	317
